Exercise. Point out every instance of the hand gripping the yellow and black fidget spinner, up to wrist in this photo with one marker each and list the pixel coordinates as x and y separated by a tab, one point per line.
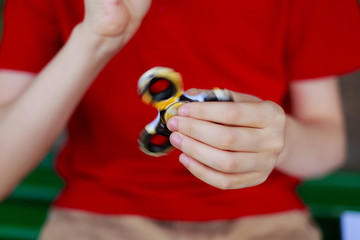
229	145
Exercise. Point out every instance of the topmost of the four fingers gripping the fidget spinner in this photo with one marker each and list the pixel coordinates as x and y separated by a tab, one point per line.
250	114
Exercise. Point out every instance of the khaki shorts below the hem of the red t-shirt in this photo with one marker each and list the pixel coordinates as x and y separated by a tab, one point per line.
79	225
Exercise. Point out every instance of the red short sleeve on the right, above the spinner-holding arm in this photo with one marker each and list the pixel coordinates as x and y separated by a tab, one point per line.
323	38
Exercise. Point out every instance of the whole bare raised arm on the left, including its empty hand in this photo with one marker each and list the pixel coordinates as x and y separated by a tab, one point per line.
35	111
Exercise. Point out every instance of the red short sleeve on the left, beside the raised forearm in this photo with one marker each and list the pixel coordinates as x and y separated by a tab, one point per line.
30	35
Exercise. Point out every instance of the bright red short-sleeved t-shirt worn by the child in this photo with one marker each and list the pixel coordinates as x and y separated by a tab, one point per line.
255	47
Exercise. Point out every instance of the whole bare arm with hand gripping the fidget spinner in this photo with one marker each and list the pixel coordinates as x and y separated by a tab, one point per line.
237	144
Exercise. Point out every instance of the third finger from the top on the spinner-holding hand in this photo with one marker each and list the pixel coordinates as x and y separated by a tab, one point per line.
223	161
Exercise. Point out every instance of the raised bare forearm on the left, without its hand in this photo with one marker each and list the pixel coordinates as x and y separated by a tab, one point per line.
31	123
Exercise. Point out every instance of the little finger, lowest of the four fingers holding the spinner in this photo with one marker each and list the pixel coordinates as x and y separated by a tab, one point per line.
219	179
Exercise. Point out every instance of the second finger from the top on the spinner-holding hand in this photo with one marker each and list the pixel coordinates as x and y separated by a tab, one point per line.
220	136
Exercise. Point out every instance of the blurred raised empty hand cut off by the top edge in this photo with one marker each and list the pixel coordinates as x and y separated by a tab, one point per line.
114	20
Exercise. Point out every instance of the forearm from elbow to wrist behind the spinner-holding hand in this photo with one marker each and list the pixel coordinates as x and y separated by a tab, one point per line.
312	149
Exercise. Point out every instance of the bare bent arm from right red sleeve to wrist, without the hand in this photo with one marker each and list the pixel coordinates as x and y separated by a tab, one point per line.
315	134
